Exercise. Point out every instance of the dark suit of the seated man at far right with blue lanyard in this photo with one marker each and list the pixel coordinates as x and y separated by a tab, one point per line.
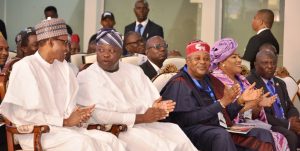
279	125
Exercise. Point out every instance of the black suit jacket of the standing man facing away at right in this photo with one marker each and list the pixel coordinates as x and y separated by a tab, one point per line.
255	42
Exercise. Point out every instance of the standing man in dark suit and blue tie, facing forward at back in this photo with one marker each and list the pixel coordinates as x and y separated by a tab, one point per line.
143	25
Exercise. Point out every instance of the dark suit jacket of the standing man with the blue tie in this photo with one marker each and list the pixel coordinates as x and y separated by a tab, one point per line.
151	30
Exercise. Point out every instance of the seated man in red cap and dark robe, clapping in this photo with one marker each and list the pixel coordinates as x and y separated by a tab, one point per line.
204	105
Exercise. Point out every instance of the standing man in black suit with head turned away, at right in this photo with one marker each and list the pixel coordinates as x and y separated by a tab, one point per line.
261	24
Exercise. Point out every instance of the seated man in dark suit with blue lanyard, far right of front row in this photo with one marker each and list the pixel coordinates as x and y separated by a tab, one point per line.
283	116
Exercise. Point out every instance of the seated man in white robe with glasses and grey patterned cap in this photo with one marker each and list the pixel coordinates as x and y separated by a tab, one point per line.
41	91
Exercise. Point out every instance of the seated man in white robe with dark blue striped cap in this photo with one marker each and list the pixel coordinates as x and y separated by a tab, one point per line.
123	94
